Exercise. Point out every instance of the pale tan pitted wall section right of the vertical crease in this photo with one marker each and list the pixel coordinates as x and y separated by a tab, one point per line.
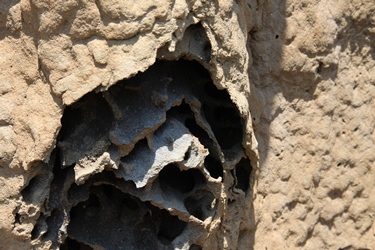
316	183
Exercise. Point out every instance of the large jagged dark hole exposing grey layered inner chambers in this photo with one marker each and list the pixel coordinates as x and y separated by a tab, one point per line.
102	212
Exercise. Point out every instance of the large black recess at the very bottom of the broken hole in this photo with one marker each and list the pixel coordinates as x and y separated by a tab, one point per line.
111	218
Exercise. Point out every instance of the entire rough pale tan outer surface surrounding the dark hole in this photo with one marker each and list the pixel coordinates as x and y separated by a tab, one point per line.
315	186
